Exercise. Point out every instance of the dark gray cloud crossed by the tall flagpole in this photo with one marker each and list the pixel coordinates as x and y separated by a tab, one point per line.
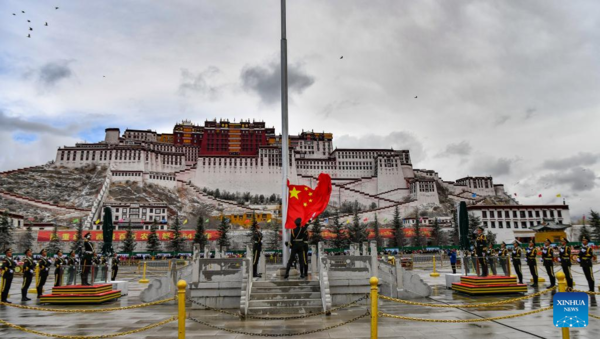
266	80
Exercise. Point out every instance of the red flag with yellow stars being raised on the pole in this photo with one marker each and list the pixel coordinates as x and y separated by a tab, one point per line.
306	203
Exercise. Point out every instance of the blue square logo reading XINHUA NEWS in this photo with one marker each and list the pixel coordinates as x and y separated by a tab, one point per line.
571	309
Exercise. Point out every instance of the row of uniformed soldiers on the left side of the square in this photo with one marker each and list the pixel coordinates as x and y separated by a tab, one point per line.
71	264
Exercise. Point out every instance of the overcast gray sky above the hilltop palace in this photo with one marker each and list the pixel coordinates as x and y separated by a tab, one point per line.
504	88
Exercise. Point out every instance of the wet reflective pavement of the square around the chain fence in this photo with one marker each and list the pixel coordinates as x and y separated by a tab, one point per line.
533	326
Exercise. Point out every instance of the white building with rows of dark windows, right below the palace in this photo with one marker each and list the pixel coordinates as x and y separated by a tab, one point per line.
510	222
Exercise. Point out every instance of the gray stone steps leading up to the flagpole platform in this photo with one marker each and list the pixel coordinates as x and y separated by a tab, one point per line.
285	297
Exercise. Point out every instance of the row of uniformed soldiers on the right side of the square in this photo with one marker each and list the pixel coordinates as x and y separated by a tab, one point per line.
485	257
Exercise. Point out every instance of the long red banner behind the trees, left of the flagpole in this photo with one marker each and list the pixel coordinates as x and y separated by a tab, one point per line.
120	235
